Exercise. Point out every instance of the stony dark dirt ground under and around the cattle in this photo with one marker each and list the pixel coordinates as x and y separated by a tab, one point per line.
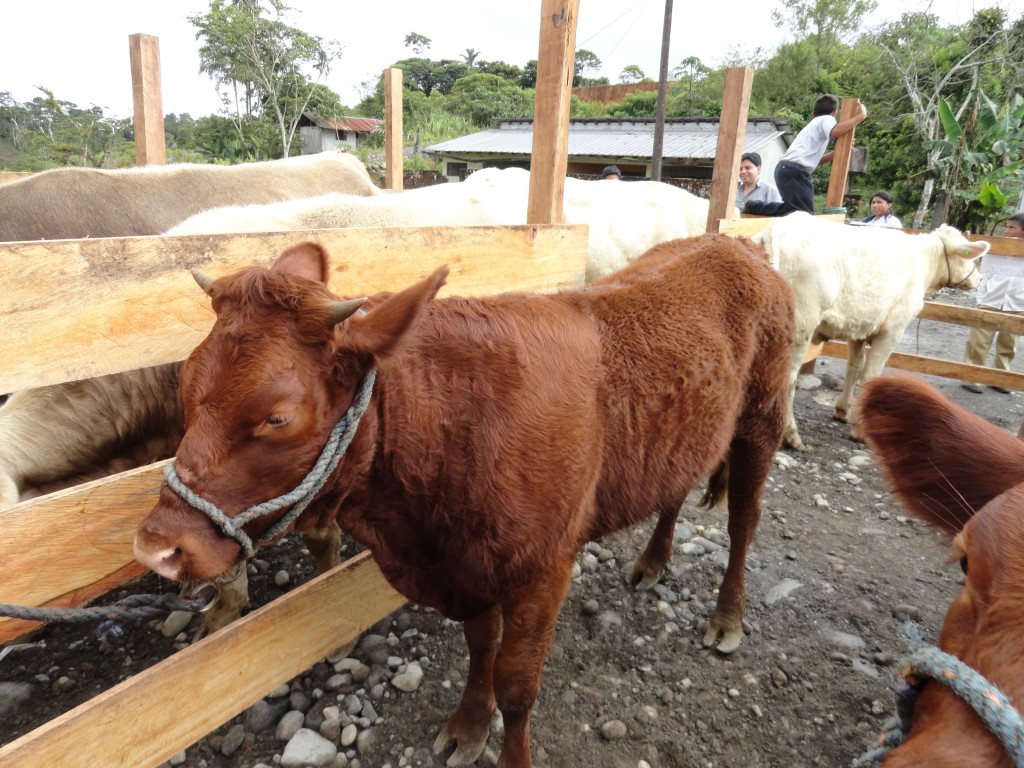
835	572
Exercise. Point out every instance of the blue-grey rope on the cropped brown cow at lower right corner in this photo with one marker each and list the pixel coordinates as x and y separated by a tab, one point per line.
995	709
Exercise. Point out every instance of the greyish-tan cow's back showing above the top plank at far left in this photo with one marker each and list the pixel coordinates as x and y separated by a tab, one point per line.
75	203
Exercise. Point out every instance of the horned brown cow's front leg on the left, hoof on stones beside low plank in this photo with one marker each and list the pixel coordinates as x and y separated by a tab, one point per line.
470	727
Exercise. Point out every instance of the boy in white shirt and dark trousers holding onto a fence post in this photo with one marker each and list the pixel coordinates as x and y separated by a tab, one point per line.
793	175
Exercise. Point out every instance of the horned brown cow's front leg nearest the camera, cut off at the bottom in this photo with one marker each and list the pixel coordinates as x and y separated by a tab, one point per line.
529	627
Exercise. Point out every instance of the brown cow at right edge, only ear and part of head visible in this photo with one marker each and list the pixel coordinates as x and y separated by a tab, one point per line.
966	478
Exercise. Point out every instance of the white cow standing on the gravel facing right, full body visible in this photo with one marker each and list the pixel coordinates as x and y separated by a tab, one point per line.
863	284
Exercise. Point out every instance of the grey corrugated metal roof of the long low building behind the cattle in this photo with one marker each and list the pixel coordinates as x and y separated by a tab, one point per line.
604	139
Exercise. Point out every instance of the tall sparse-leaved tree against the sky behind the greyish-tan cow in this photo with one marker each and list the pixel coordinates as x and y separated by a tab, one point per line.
261	65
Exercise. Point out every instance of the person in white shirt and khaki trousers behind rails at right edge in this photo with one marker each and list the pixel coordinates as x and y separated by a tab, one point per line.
1002	289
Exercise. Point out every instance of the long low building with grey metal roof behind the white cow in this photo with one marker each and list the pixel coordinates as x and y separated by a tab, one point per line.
688	150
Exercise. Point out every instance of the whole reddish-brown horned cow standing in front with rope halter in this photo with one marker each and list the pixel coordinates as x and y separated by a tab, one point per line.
501	436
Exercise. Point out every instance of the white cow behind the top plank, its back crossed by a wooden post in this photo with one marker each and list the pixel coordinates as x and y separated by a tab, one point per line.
626	220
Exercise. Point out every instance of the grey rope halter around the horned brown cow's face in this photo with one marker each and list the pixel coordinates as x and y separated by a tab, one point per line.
301	497
